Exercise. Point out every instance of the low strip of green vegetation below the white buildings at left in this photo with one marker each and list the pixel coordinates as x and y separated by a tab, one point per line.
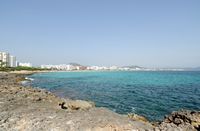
20	68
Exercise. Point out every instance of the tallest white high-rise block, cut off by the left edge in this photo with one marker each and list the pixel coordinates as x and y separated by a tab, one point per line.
4	58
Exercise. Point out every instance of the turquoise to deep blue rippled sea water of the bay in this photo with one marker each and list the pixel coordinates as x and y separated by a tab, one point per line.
151	94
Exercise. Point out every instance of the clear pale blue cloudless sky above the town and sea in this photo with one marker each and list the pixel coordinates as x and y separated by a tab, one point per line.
149	33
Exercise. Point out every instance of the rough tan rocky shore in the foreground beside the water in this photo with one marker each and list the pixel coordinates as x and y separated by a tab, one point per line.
30	109
